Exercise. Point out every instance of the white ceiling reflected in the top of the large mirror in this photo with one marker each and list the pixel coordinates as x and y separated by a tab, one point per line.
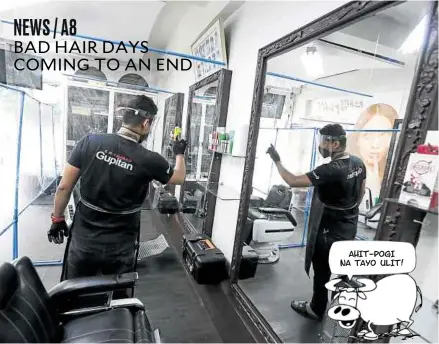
382	34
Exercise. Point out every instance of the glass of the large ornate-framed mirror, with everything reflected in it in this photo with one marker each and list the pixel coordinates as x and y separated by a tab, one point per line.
360	79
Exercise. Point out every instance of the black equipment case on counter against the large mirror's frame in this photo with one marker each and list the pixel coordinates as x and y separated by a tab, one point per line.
205	262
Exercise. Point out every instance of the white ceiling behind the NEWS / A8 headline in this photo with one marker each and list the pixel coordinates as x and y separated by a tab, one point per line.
152	21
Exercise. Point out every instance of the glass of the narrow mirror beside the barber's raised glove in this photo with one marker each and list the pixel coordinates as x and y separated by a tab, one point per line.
202	122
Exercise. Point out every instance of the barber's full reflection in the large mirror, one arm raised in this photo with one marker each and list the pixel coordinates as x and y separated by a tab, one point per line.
340	186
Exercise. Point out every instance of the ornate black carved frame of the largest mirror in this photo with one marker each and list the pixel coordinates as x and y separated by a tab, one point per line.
421	108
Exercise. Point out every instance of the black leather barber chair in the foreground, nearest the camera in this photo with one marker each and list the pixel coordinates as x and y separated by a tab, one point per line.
30	314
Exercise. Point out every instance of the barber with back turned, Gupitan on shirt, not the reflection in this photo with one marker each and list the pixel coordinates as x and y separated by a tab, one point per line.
115	172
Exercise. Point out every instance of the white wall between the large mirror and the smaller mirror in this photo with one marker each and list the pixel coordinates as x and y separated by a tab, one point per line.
255	25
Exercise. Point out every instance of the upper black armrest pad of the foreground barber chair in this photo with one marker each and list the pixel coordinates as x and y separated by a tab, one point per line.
95	284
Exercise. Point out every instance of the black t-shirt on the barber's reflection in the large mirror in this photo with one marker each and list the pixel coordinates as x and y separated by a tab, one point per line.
338	185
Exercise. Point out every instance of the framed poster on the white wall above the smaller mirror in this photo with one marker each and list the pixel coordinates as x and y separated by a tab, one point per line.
209	45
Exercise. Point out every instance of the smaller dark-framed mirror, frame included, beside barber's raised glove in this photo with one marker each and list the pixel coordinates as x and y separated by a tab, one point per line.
207	114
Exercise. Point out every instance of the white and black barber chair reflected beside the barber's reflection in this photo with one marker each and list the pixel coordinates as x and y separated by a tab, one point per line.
269	222
